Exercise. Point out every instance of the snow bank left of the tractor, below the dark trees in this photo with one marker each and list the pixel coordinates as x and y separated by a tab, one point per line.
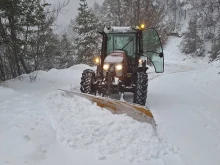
48	81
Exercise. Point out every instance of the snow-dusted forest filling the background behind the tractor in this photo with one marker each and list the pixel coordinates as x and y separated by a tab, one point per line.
28	41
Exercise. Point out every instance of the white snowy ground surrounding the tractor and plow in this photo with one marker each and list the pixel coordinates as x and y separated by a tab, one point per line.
40	125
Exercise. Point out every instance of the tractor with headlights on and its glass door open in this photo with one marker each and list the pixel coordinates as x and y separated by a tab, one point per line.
123	63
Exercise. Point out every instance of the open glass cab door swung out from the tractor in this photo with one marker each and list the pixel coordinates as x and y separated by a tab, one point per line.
153	50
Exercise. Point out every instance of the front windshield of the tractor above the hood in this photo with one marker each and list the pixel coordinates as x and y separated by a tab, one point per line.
124	42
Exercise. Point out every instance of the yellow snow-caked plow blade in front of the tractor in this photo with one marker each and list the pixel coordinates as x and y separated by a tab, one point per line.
135	111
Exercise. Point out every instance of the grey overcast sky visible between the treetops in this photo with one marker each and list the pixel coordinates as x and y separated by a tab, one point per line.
71	10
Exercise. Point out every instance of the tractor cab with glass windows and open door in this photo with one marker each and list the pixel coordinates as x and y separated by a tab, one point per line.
136	43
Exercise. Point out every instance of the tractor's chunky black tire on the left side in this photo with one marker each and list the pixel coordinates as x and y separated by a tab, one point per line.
87	80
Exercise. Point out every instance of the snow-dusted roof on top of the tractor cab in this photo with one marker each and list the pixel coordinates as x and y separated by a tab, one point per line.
119	29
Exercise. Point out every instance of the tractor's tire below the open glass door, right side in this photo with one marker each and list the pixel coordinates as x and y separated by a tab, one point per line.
141	89
